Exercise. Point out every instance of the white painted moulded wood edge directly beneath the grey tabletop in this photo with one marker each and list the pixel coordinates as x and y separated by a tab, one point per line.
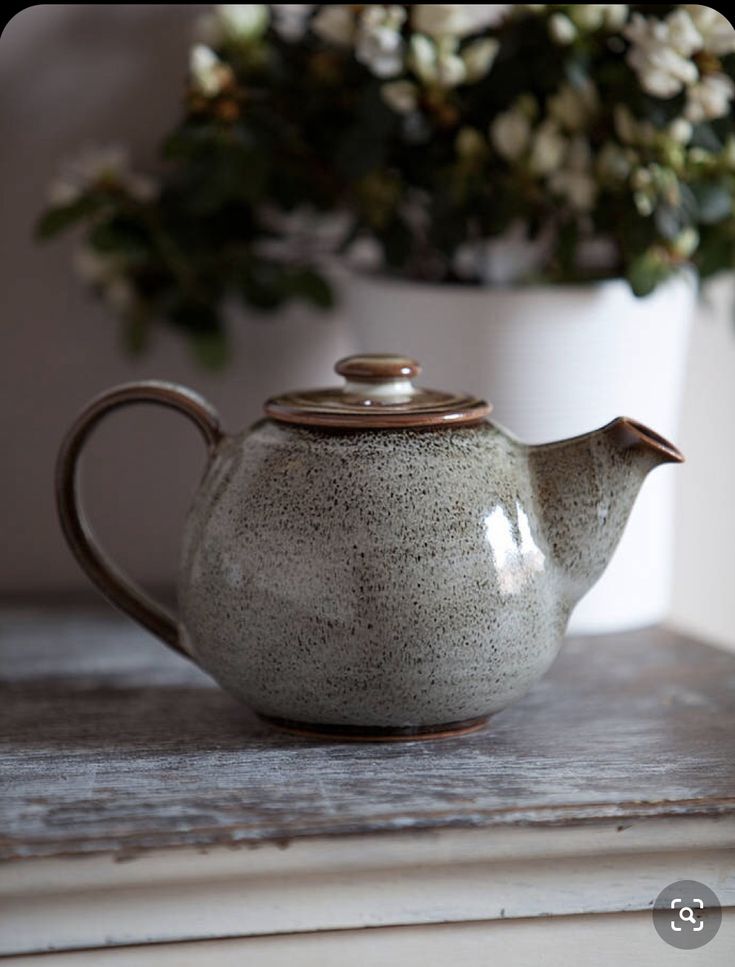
351	882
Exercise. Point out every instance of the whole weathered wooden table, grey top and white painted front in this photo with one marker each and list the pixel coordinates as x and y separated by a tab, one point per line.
146	817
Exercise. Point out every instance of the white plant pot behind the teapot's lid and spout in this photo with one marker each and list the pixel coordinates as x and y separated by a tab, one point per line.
556	361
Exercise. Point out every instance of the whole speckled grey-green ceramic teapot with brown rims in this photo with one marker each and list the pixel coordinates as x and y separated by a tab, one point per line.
377	560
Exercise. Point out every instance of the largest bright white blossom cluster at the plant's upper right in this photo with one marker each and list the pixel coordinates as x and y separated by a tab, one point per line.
661	51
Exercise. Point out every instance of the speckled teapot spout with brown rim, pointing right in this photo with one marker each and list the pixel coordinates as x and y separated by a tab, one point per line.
586	487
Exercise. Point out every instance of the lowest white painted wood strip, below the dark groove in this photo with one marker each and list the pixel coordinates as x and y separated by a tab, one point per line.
602	941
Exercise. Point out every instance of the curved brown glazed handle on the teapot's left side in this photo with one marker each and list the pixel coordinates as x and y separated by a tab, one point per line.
79	536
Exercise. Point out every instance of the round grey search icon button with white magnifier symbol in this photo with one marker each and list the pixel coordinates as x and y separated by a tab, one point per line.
687	914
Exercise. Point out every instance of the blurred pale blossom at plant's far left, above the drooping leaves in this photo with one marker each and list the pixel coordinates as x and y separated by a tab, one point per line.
109	166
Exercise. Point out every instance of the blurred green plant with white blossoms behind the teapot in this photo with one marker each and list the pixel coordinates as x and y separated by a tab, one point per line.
435	135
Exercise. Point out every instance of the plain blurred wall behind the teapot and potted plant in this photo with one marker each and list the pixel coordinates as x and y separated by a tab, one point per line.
80	74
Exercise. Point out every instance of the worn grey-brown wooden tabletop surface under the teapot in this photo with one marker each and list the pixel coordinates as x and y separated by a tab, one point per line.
110	743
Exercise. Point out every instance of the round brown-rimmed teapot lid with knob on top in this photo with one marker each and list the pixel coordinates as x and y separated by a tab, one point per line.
378	393
